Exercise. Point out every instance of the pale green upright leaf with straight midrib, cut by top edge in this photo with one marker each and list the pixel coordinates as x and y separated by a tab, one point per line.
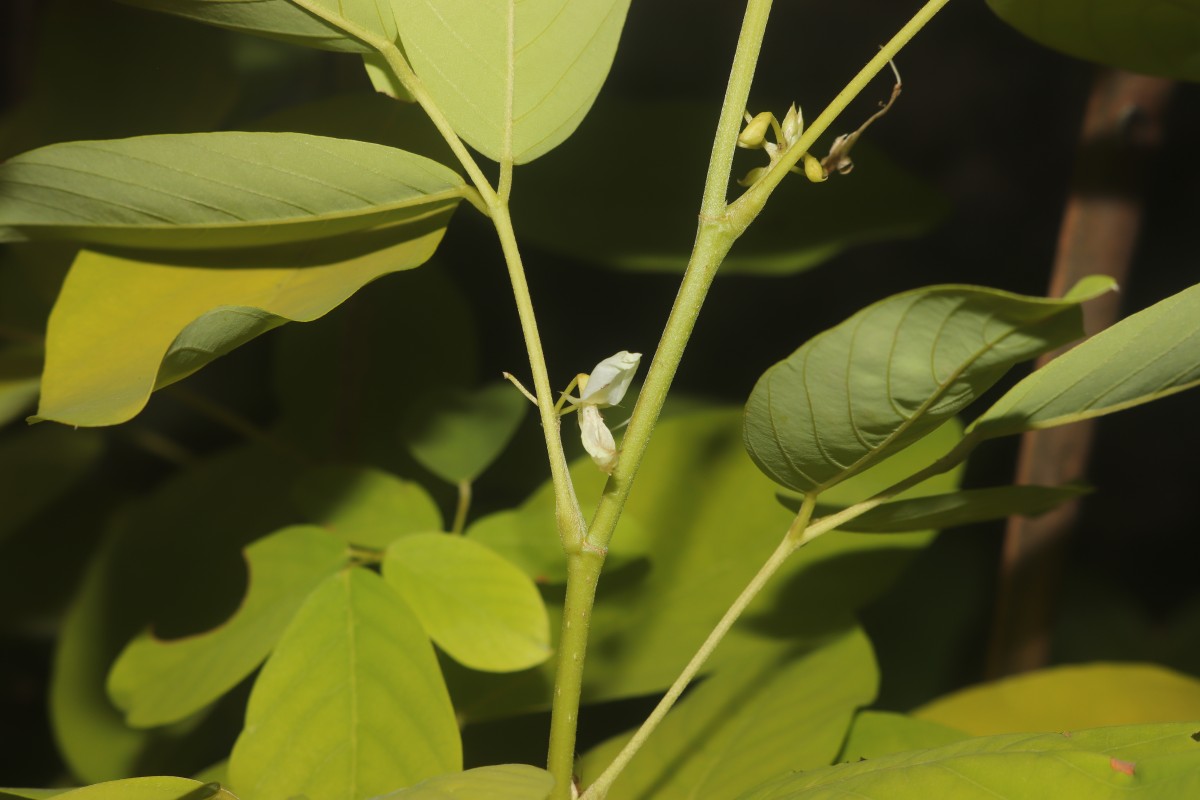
514	79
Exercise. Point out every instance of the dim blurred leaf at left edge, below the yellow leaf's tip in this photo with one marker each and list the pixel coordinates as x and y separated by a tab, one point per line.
38	467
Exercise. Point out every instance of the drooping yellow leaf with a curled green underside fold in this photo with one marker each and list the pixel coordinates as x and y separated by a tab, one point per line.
124	327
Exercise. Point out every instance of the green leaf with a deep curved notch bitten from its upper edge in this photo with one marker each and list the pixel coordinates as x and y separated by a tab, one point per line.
160	682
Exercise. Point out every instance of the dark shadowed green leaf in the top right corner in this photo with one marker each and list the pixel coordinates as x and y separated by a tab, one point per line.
1154	37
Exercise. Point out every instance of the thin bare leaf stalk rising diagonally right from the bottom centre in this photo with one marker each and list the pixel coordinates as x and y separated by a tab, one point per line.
599	789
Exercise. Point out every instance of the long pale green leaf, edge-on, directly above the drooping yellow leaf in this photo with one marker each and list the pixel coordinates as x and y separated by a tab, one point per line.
205	191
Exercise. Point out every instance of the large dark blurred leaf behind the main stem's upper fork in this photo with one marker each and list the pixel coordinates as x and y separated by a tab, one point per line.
640	167
